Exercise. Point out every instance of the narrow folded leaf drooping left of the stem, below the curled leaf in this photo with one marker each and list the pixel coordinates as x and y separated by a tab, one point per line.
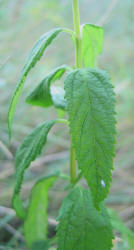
28	151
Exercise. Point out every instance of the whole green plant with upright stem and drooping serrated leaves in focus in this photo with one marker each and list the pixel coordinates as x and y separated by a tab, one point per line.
88	99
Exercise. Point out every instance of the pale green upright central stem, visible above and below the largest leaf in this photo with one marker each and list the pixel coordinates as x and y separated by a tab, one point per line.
78	58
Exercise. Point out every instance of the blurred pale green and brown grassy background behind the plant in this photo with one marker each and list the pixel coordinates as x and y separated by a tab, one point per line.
21	23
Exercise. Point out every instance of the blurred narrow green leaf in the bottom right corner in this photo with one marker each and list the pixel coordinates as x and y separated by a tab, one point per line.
117	224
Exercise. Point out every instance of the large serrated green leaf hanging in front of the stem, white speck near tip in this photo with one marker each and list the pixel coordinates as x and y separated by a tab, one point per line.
91	108
